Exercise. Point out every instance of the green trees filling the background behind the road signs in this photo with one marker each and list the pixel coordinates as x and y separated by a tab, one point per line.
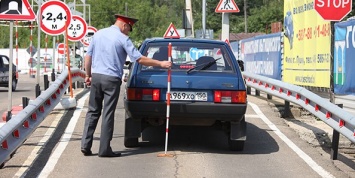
156	15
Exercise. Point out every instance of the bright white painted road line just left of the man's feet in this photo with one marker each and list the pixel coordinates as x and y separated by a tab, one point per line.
53	159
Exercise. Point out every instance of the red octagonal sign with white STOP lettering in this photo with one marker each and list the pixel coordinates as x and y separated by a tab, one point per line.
333	10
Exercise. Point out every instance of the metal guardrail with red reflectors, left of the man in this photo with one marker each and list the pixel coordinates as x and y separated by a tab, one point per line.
21	126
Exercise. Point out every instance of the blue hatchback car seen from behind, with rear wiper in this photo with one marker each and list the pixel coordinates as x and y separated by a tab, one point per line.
206	89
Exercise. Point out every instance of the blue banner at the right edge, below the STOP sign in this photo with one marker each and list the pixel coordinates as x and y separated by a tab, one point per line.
344	62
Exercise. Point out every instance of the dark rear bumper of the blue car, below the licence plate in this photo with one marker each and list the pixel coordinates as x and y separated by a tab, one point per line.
184	110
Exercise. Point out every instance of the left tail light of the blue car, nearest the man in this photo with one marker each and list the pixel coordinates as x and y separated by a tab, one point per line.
139	94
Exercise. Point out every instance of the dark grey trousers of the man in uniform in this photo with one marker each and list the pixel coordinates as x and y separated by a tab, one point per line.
104	93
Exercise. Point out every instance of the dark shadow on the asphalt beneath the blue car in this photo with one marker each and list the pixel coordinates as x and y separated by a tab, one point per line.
202	139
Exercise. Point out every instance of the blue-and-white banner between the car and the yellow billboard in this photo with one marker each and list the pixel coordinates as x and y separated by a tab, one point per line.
262	55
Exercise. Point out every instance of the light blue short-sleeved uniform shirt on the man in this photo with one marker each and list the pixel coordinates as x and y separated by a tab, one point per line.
108	49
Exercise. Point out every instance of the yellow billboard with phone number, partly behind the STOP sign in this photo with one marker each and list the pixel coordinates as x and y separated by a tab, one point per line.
307	40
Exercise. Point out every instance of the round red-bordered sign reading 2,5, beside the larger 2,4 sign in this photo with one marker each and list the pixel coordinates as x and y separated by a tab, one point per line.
77	28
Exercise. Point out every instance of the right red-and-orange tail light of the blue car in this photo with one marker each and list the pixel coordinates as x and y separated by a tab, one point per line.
230	96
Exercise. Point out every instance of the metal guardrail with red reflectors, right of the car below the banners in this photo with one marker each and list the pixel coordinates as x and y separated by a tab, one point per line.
337	118
